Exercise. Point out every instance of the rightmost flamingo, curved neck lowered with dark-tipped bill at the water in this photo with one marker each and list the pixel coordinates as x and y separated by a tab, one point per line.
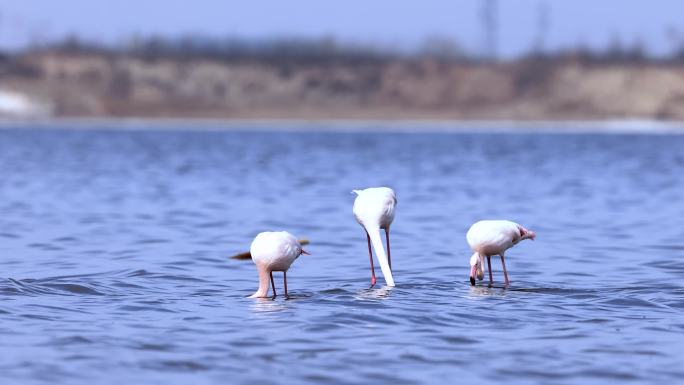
487	238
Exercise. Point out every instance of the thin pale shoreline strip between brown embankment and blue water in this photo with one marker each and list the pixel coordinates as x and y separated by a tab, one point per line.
615	126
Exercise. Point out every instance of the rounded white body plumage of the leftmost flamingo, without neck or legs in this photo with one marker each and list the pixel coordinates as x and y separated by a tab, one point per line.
276	250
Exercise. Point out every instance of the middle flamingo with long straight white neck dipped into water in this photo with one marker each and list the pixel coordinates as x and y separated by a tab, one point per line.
374	210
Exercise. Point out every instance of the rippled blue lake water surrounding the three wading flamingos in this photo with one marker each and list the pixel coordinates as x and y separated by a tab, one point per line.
115	245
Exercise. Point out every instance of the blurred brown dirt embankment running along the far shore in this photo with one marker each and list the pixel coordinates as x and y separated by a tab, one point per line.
99	85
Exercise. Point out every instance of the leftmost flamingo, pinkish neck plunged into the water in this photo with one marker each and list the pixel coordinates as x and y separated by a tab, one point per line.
273	251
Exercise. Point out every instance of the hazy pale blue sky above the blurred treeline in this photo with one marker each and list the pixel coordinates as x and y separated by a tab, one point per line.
397	23
